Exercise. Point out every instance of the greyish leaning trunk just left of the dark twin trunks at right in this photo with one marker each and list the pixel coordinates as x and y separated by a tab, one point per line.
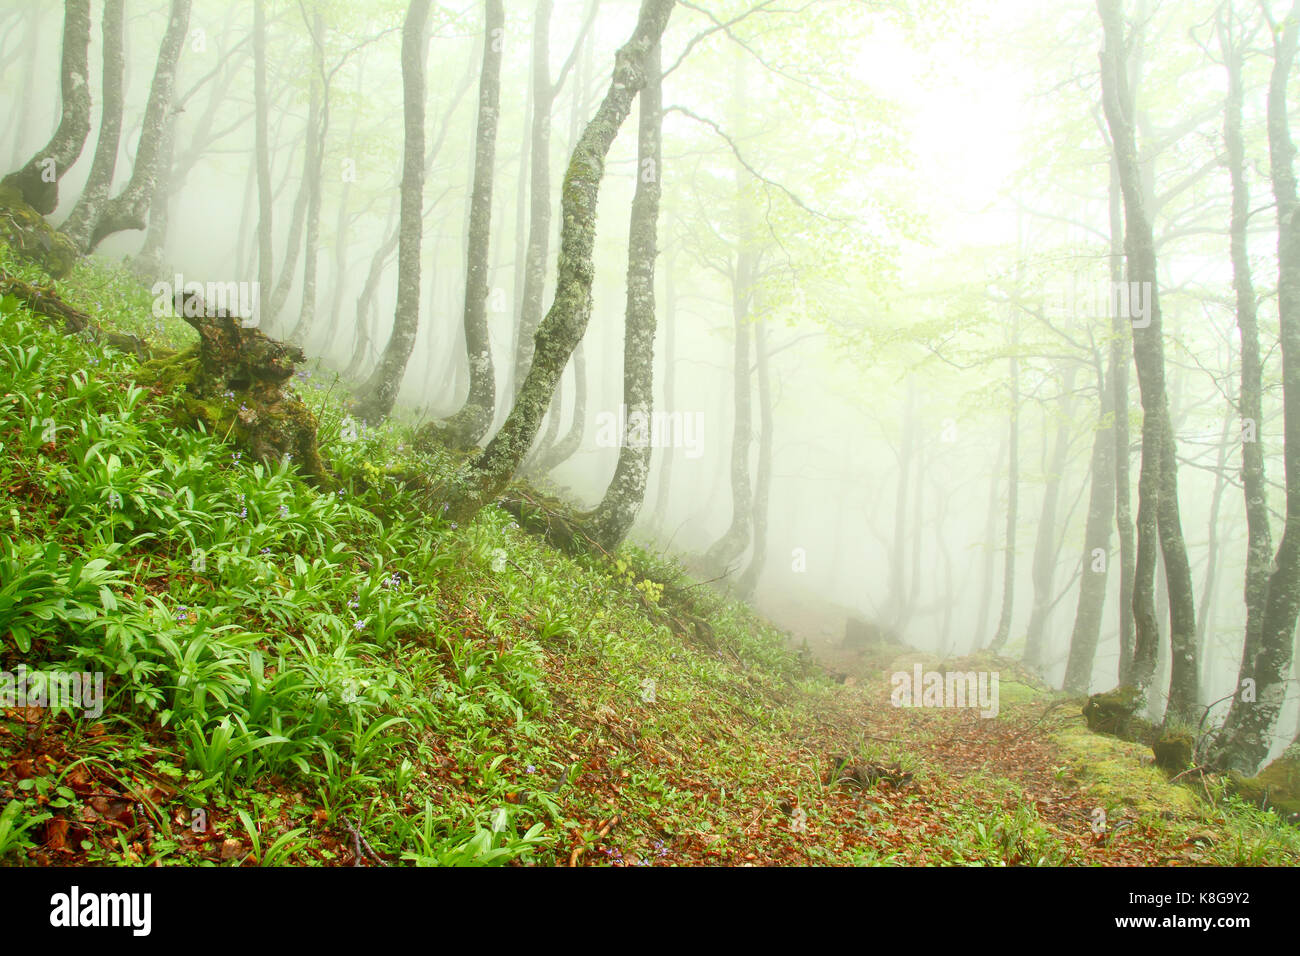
1097	548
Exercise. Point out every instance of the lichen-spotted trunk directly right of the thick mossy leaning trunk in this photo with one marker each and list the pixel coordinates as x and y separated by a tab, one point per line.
613	518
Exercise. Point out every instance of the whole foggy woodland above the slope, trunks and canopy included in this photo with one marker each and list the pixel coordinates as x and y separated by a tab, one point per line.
986	334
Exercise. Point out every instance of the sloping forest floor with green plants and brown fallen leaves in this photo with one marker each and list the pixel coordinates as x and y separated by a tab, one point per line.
339	677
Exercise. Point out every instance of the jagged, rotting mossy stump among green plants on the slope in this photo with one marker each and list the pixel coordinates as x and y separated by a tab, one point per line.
233	383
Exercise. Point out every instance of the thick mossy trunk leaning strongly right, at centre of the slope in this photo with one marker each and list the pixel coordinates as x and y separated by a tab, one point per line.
566	323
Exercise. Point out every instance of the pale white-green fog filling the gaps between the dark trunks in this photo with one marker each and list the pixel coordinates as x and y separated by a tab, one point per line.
912	206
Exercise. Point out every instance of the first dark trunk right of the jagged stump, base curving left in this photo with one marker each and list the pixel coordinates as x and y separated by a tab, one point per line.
378	403
